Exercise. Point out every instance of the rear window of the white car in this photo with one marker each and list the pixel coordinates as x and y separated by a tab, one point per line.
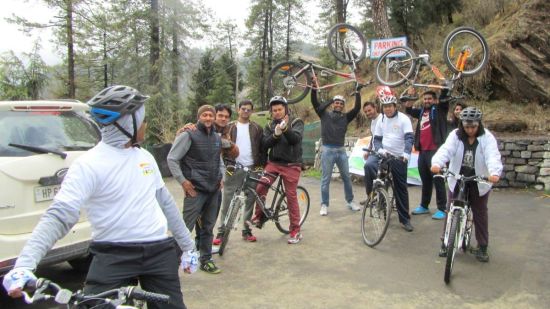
64	131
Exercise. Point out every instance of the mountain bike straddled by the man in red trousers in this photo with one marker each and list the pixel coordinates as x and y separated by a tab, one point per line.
276	212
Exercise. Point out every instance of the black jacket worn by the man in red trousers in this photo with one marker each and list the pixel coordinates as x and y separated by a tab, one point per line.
286	148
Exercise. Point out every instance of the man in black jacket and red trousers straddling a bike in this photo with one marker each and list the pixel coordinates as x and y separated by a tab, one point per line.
282	138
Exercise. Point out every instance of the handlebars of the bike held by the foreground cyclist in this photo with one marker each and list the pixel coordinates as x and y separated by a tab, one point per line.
116	298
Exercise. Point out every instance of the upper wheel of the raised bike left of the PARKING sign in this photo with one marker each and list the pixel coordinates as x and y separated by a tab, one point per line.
346	43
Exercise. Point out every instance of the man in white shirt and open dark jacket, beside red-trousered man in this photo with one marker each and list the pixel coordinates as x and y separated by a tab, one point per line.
247	135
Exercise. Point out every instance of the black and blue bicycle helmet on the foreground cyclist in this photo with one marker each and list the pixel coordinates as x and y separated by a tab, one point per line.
114	102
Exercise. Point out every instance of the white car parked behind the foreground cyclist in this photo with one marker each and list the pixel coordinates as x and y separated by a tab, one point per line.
38	142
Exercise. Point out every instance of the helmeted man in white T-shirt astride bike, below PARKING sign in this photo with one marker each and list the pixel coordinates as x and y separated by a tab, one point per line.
394	135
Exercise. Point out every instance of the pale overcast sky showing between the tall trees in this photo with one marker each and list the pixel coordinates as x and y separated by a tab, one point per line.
35	10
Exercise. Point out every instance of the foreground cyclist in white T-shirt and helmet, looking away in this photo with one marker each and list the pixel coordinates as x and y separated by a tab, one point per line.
127	204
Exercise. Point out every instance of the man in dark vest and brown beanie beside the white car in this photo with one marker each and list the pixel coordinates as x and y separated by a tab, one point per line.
195	163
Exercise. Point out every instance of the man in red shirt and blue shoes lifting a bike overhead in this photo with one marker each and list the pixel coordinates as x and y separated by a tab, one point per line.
431	132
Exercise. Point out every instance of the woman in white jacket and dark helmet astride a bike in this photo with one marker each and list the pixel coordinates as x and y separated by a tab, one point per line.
472	150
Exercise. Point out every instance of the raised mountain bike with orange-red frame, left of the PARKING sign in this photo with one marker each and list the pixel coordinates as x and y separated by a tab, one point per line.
294	79
